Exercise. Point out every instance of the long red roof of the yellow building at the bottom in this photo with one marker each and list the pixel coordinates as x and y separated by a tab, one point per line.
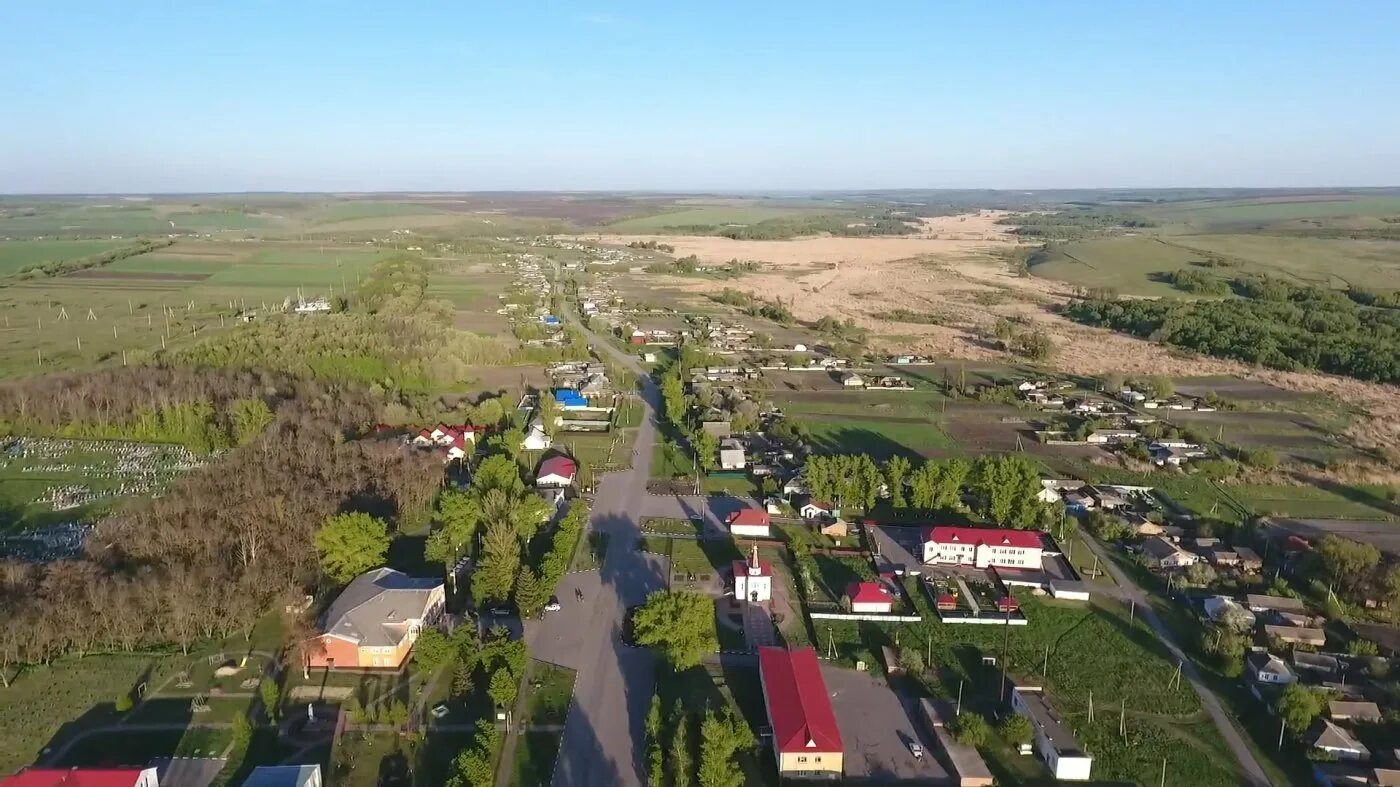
800	711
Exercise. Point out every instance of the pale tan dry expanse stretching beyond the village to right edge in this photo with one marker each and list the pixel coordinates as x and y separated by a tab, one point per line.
955	270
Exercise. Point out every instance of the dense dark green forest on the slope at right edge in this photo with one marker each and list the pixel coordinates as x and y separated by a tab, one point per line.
1276	324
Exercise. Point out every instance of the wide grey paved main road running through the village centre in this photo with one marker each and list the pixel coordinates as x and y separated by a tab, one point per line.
615	683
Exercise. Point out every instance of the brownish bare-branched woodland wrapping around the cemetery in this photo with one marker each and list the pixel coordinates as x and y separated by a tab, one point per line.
226	543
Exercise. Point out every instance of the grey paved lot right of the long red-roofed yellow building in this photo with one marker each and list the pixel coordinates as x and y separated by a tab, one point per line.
877	727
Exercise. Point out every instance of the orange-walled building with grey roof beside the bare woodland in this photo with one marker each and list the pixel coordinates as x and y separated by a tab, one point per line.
374	622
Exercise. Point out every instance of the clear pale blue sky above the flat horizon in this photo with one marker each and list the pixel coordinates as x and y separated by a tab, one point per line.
320	96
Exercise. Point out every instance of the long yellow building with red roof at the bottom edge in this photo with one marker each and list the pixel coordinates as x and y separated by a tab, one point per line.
807	741
